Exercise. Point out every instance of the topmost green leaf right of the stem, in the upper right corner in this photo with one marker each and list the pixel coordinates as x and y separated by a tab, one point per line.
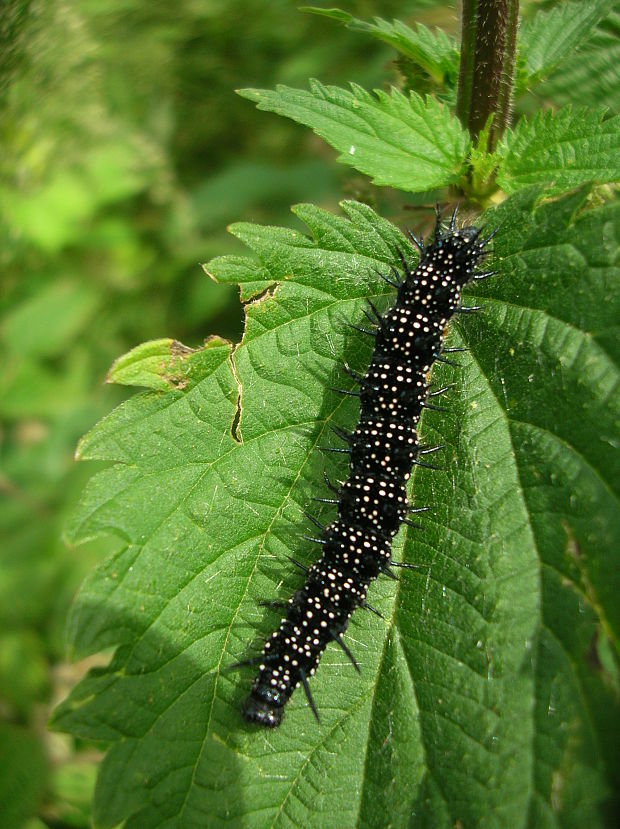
554	35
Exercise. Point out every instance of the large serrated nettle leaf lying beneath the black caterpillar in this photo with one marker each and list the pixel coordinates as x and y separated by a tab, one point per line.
488	692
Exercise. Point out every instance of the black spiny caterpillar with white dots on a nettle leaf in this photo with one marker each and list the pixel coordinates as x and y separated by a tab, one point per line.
372	503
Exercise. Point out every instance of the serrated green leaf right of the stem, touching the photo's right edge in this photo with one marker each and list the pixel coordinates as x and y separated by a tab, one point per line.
566	148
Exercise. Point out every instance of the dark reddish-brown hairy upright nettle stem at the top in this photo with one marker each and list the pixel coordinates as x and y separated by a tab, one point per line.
488	43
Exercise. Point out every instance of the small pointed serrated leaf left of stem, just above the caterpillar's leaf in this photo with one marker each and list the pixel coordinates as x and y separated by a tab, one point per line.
410	142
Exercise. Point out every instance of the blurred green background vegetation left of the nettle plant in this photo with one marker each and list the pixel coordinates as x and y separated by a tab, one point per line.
124	154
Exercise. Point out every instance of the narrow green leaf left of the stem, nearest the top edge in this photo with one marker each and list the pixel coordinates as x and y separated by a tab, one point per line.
433	51
